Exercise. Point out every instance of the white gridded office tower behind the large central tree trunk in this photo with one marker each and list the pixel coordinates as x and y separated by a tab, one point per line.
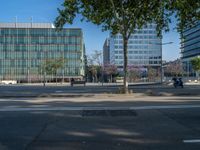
144	48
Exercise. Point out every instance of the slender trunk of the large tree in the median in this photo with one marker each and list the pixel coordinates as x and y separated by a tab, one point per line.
125	44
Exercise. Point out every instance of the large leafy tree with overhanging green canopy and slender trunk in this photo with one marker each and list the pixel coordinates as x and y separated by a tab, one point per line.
124	16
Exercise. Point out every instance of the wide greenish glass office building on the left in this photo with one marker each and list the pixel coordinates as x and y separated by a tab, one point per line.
24	47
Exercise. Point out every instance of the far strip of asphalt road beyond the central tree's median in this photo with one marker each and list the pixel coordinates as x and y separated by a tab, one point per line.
29	90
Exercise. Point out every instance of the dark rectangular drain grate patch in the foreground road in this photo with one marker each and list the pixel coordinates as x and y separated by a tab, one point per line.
108	113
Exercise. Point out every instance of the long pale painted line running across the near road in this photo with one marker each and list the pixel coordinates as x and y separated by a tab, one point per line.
49	108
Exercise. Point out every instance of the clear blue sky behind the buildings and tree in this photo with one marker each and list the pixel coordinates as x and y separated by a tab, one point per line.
46	11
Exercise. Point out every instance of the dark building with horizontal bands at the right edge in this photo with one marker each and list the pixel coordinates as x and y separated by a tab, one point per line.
190	47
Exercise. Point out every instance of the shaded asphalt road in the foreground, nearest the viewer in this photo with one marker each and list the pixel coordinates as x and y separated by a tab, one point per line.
165	123
